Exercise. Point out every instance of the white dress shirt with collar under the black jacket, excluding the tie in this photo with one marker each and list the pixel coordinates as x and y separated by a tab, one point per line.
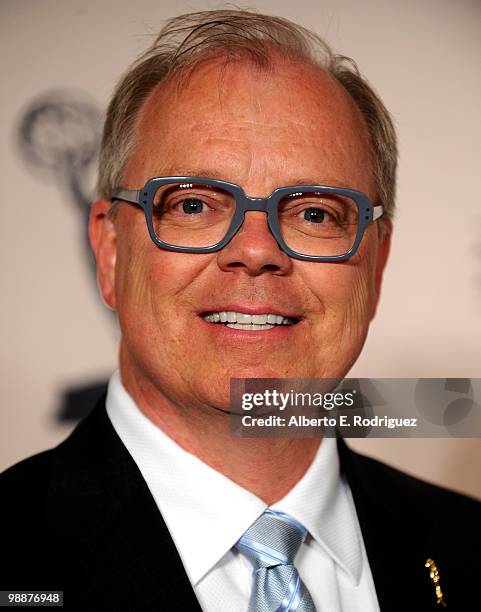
206	513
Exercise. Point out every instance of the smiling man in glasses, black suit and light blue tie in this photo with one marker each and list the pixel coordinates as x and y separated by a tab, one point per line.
150	504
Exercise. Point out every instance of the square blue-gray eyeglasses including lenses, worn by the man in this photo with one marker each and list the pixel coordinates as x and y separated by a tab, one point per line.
191	214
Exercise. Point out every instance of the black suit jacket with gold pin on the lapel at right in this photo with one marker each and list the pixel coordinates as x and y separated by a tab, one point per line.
80	518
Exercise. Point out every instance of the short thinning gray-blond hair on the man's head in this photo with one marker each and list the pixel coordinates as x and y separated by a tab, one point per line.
186	41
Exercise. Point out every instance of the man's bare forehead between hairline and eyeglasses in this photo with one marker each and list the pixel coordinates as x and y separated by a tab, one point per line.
236	121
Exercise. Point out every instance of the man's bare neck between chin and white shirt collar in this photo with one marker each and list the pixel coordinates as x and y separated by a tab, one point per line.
267	467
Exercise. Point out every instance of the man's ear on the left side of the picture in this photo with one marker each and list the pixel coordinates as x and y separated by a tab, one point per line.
103	241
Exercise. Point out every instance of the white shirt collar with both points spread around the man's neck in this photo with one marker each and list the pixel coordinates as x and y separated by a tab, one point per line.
206	512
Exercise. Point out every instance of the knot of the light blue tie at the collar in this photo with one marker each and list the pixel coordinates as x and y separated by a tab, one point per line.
273	539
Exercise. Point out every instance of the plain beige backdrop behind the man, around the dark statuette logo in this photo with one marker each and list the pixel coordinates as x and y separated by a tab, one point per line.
423	57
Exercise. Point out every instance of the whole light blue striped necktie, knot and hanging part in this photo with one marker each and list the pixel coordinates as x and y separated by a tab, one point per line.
271	543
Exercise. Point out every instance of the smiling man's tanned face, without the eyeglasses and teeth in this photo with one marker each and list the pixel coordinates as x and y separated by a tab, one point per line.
261	130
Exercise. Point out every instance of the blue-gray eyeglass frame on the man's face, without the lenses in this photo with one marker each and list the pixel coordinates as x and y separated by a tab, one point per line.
144	198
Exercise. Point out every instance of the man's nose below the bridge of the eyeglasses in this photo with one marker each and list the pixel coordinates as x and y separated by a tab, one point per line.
254	249
